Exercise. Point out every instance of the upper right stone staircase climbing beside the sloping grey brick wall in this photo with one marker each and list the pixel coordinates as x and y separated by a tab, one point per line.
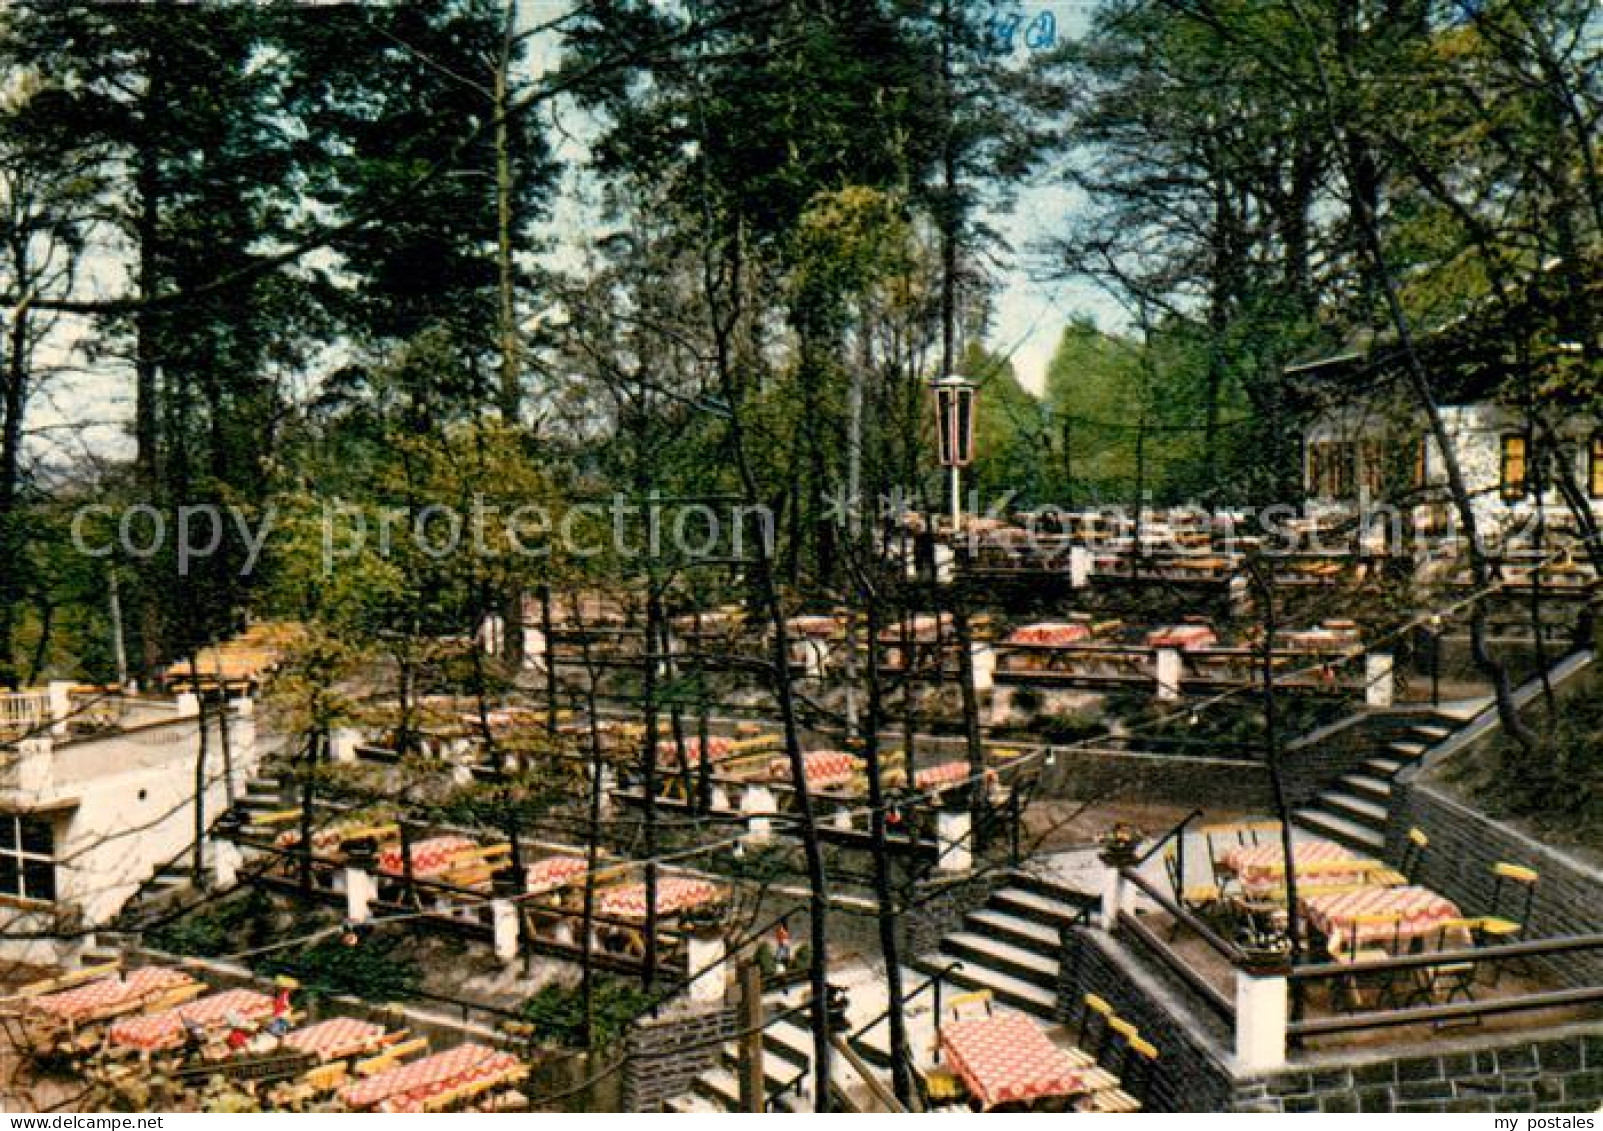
1354	810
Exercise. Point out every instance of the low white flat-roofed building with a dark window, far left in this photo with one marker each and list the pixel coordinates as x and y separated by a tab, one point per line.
95	797
